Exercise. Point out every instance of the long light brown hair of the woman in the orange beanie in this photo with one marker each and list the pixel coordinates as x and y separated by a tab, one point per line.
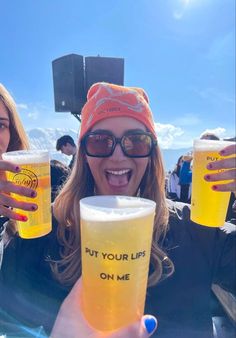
66	210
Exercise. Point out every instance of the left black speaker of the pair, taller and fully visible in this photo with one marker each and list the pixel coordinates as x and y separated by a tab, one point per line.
68	83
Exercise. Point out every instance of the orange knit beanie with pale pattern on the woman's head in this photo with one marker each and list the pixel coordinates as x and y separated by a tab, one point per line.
106	100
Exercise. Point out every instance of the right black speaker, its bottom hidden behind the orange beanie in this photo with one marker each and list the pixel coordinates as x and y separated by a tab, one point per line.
105	69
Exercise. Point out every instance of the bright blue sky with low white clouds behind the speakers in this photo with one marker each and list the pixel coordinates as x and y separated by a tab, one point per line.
182	52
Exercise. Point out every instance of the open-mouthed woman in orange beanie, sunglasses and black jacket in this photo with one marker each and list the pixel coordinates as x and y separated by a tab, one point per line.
118	154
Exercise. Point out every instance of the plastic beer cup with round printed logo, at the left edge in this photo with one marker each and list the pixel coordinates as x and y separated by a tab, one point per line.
35	174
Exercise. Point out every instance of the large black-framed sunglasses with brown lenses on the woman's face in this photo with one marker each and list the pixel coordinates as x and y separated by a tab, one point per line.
135	144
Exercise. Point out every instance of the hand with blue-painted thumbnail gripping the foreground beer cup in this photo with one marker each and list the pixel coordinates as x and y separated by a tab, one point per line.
70	322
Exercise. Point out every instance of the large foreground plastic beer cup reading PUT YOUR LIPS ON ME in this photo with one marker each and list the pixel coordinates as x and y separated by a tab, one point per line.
116	236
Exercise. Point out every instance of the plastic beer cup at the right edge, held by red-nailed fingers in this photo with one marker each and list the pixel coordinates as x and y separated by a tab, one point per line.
208	207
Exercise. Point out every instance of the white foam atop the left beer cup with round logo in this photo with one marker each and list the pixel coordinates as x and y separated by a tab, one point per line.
26	156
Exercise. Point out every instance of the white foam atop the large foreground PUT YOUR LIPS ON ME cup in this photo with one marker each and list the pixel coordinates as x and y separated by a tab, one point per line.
115	208
